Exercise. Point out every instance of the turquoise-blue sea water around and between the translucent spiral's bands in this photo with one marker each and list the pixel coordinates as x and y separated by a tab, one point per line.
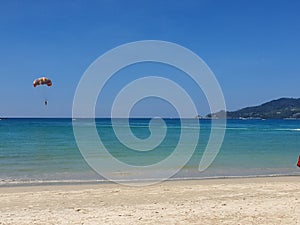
44	150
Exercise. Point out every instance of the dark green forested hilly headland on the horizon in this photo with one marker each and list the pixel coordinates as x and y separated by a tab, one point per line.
283	108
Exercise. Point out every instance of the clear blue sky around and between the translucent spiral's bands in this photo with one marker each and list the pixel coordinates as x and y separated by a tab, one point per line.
252	47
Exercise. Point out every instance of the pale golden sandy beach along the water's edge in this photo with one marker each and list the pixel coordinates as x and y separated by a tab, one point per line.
272	200
